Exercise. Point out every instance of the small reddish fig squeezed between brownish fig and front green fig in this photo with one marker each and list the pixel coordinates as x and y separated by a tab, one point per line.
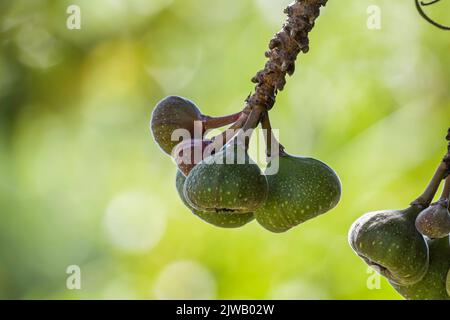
189	153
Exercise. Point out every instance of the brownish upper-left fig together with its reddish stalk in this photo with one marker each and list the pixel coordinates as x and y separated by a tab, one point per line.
174	113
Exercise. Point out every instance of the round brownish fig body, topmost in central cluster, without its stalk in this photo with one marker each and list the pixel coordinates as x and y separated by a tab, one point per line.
173	113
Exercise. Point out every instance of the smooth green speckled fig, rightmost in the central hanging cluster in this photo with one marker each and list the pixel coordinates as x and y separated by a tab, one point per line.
302	189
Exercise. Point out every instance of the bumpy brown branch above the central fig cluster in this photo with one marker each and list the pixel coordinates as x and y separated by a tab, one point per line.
283	51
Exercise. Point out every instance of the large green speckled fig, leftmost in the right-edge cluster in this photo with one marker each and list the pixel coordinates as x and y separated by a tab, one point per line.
389	241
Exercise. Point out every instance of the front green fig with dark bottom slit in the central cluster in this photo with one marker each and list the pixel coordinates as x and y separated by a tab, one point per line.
228	186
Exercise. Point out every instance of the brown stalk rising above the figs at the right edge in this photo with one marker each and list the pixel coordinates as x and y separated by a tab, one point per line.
441	173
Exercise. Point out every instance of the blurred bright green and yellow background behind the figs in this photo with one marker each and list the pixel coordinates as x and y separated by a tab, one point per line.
82	182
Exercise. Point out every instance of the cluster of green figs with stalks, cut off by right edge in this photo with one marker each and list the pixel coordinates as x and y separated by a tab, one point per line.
411	247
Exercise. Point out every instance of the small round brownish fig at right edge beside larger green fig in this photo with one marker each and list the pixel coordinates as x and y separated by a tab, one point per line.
434	221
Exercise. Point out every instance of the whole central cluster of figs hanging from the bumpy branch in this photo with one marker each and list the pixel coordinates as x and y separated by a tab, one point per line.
219	182
